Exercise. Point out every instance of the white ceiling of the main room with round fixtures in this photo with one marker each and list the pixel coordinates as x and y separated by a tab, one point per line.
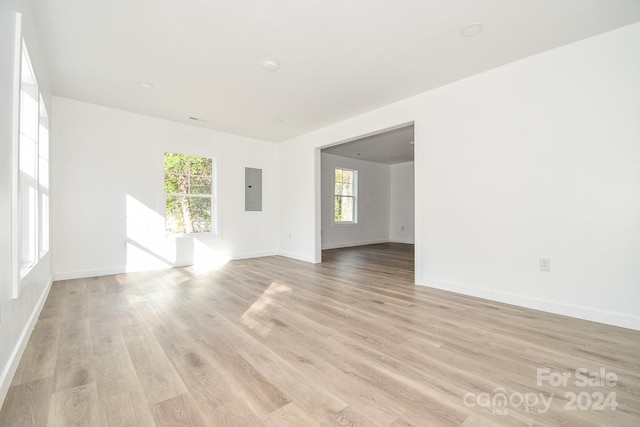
338	58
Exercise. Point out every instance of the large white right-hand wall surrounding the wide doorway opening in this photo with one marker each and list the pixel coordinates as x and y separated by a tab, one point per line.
538	158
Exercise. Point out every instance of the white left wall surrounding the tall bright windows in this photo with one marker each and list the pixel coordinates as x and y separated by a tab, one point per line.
17	316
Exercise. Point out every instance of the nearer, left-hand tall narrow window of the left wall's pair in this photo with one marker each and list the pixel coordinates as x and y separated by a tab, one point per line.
28	164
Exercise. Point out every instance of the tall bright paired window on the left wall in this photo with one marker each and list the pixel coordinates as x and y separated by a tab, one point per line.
33	169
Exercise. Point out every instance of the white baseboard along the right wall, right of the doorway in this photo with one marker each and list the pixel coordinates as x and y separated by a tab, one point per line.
622	320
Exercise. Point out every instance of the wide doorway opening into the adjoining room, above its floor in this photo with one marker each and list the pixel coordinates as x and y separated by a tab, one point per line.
367	194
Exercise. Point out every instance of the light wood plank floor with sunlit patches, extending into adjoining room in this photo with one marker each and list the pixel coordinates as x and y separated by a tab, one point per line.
278	342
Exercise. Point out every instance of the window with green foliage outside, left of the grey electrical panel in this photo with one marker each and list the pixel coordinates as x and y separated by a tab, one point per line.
189	189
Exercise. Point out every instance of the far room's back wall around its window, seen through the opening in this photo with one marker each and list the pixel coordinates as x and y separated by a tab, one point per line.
373	200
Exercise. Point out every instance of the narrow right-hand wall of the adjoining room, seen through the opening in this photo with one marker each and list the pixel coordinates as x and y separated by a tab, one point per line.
402	214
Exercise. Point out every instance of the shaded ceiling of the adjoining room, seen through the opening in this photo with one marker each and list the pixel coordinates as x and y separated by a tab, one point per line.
390	147
